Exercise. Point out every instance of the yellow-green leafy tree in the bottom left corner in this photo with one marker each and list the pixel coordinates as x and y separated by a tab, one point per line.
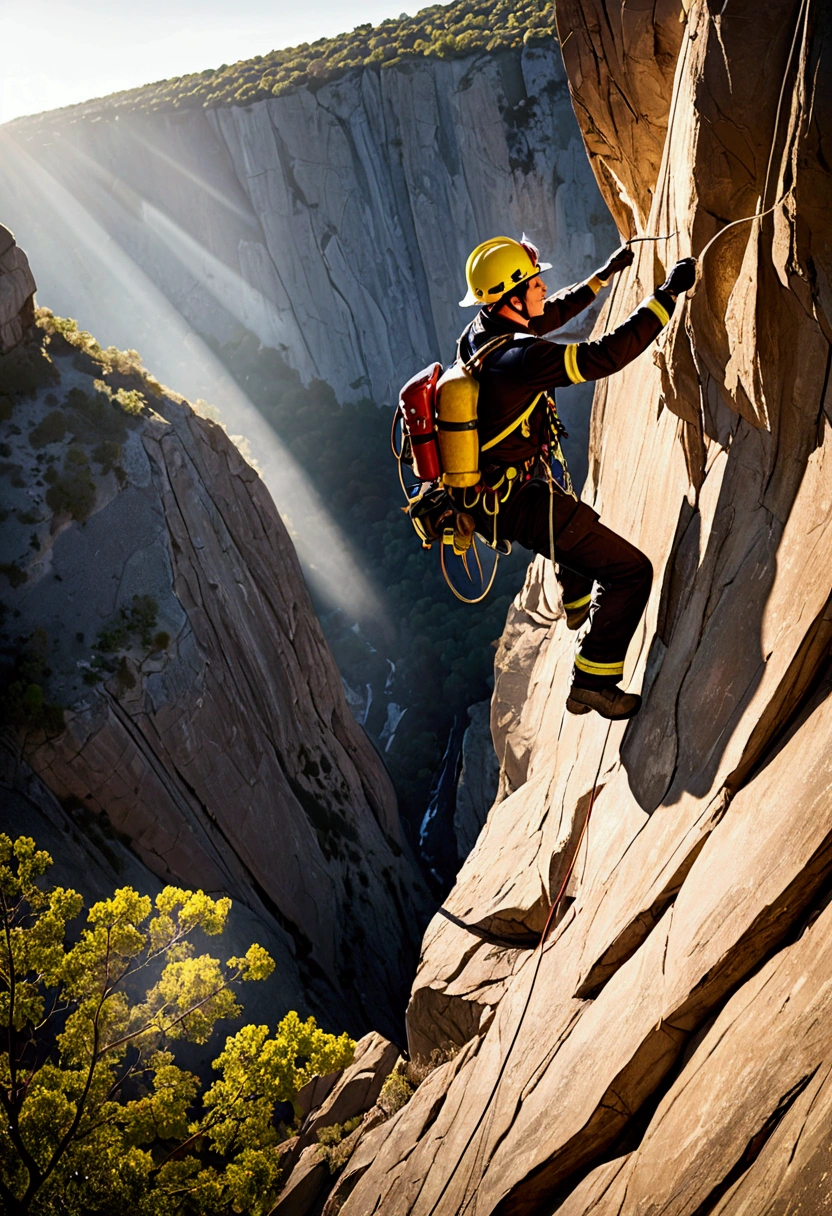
98	1116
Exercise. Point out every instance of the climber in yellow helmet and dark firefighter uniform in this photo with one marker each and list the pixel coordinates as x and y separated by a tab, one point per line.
520	436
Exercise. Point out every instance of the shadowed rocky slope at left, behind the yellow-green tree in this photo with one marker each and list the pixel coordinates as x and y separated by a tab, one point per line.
153	594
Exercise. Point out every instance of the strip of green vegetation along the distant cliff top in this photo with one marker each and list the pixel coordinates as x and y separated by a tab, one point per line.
439	32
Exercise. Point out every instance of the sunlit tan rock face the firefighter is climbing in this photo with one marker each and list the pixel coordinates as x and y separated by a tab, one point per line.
668	1051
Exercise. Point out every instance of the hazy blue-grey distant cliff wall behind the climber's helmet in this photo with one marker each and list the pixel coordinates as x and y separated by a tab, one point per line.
334	223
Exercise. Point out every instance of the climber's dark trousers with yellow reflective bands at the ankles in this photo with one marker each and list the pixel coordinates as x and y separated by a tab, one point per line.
587	554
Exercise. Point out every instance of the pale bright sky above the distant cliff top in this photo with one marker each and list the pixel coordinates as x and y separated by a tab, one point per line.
66	52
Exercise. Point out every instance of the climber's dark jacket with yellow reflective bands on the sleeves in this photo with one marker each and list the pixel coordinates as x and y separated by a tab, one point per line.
516	374
